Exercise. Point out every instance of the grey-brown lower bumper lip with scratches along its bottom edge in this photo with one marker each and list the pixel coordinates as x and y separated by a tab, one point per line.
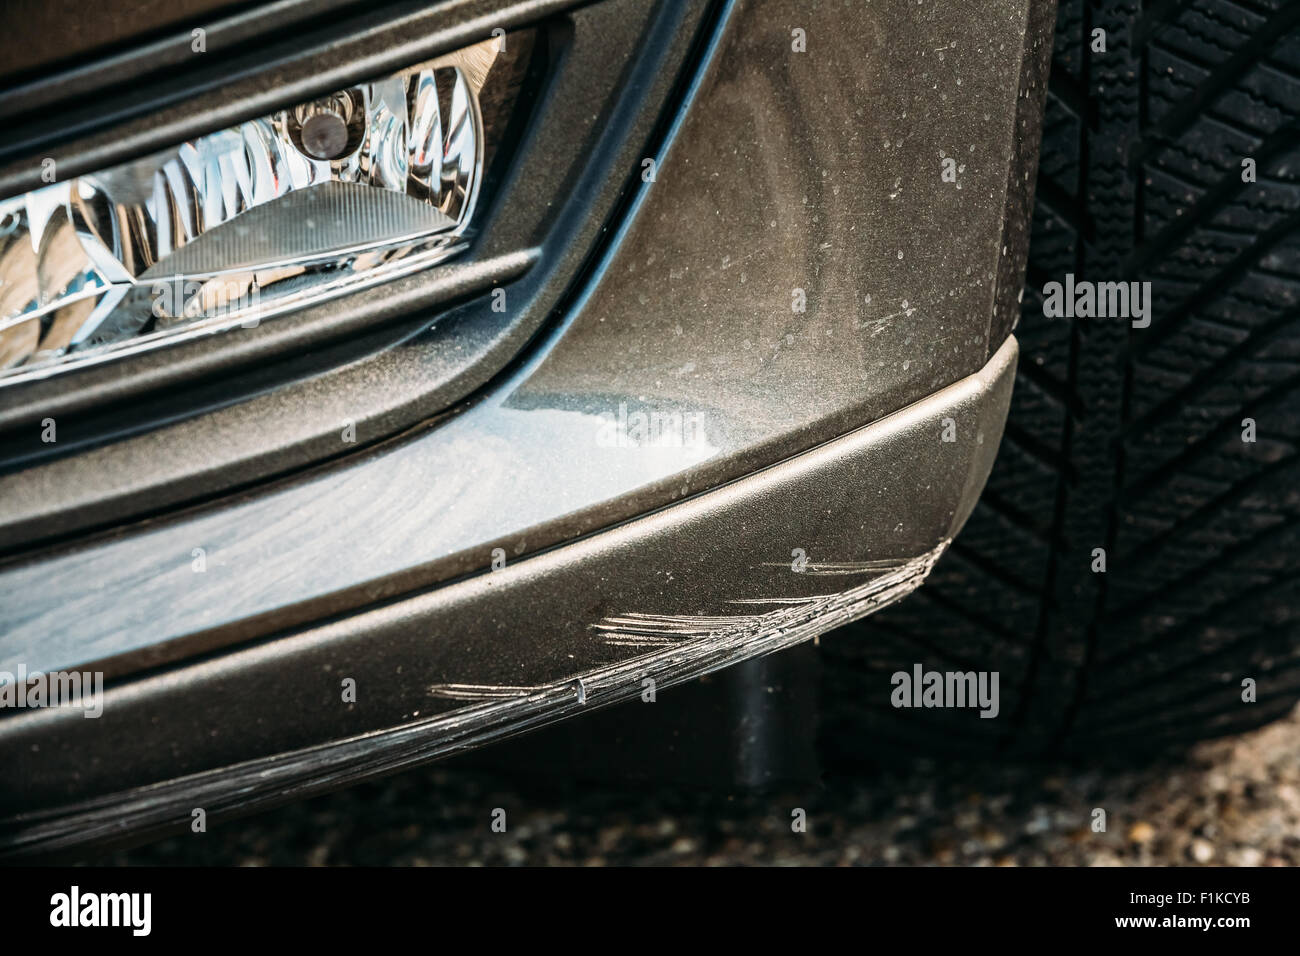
740	572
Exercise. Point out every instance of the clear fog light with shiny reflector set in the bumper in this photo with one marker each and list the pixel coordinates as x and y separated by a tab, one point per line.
349	191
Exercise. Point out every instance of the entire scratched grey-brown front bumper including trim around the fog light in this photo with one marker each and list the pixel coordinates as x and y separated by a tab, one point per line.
729	408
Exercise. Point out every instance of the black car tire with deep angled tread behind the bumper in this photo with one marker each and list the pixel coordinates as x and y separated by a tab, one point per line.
1132	570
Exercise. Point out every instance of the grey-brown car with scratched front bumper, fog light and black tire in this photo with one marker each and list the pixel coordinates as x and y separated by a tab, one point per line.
383	382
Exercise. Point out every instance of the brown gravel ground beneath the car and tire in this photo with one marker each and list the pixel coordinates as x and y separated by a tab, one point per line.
1232	802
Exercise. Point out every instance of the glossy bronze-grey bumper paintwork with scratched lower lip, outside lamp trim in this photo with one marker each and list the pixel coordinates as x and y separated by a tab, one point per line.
796	287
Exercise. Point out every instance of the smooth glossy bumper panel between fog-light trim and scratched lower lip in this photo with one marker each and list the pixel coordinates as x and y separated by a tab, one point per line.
814	184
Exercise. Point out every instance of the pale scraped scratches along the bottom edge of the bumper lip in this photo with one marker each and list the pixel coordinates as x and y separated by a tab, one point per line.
696	646
